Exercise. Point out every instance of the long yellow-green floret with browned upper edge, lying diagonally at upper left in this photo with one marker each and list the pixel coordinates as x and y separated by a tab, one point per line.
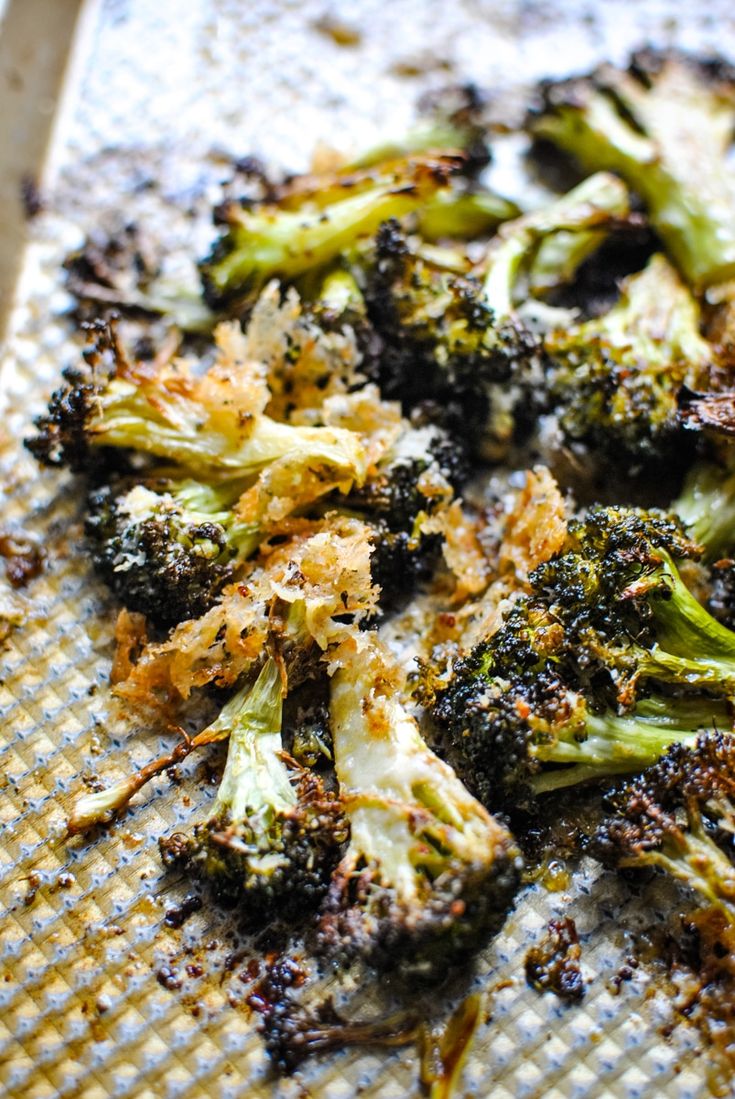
310	228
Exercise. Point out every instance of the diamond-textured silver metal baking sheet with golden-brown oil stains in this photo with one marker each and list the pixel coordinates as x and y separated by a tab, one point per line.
95	995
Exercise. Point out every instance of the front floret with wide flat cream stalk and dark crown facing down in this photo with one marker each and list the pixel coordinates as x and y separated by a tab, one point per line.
427	870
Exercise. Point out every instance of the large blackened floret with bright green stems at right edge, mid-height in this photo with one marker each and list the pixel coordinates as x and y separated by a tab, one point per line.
571	675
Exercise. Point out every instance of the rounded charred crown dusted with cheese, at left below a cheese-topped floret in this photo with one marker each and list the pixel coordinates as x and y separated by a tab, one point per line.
168	552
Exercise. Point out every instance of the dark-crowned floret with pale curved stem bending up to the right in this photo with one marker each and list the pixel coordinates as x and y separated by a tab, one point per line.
458	339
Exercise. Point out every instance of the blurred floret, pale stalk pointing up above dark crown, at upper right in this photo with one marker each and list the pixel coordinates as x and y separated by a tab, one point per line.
614	382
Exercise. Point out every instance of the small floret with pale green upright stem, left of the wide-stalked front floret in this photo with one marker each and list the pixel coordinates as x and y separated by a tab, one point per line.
275	832
